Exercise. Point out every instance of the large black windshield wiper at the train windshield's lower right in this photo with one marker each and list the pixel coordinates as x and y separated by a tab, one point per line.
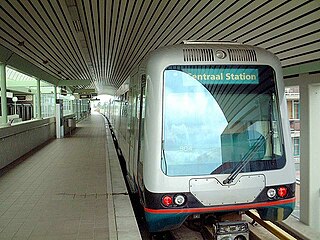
245	159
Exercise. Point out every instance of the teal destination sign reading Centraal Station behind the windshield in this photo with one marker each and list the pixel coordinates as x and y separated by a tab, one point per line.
207	75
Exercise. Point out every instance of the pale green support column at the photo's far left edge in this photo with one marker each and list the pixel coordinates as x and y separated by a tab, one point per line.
4	109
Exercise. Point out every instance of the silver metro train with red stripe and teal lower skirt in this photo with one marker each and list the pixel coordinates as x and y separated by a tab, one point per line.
204	130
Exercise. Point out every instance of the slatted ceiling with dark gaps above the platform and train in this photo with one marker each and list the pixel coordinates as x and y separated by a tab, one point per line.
102	40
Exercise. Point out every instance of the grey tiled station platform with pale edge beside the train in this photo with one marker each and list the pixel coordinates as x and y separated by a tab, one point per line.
71	188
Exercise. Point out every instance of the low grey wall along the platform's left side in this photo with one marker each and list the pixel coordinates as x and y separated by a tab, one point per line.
19	139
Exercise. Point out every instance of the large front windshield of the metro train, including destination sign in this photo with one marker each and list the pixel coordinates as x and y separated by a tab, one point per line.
217	117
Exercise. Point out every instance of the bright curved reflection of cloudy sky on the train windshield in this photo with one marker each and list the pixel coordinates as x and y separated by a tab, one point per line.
191	143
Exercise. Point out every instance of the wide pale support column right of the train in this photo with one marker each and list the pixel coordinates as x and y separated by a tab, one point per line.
310	152
